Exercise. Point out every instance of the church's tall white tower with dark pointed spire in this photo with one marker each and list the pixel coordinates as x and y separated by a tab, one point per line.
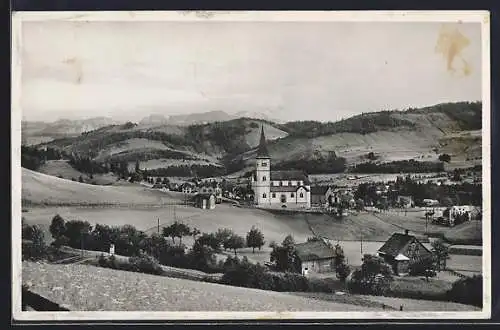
262	179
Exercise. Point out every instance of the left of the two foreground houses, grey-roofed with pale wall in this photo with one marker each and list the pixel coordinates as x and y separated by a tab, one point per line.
315	257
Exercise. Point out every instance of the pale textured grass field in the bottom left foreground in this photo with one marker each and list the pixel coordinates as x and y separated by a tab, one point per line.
88	288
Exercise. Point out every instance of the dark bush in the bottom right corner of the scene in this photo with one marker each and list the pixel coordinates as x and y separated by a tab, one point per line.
467	291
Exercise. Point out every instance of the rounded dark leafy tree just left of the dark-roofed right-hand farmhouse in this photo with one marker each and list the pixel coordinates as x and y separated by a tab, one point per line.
374	277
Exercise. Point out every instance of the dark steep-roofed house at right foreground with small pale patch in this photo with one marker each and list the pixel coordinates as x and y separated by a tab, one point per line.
402	251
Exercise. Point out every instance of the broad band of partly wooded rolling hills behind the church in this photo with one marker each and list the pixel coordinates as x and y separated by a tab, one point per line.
418	134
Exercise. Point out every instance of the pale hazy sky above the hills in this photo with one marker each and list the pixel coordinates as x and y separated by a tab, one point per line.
287	70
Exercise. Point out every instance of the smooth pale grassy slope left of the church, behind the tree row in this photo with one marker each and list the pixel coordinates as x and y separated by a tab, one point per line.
38	188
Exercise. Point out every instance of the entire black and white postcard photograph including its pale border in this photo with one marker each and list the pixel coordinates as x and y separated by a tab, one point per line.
250	165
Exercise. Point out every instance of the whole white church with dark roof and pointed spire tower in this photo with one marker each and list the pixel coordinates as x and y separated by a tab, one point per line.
282	189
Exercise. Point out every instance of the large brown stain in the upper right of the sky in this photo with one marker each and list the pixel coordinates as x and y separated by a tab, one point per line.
451	42
